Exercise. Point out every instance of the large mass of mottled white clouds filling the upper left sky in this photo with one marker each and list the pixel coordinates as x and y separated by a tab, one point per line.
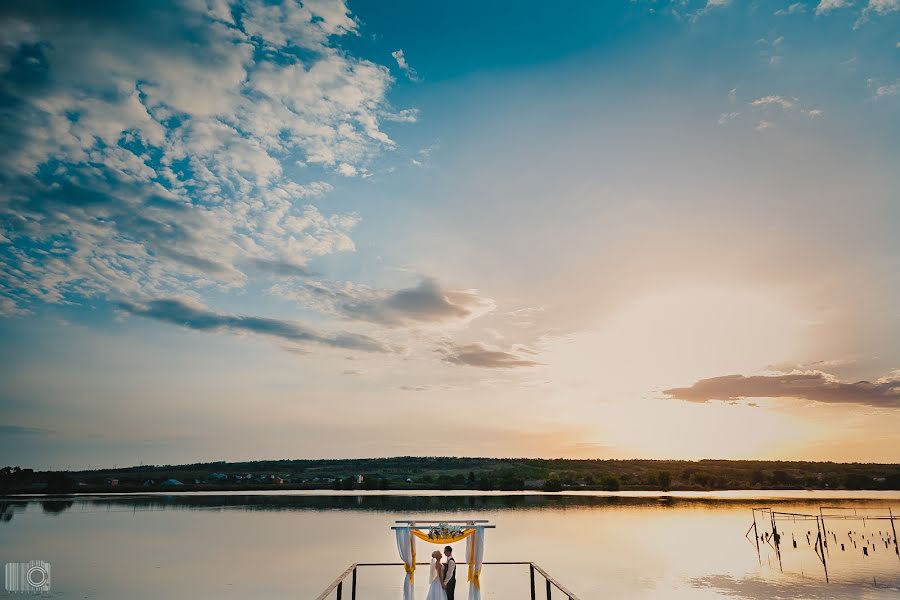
170	133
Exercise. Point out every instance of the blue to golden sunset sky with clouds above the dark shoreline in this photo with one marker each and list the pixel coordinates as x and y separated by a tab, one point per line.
262	230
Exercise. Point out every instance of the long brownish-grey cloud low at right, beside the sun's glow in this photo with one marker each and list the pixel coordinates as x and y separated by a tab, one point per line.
816	386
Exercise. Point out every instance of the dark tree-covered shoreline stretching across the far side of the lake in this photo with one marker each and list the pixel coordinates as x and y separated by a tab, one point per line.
459	474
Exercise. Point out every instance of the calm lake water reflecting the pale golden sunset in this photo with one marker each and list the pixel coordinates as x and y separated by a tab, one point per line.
291	546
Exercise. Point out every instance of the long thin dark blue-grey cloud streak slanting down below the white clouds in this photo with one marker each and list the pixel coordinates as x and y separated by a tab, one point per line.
189	313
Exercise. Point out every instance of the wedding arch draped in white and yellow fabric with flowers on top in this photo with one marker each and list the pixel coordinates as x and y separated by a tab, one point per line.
443	533
